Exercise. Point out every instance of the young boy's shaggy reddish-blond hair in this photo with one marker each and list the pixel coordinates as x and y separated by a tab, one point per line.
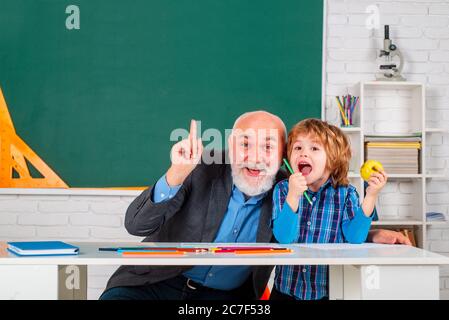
335	143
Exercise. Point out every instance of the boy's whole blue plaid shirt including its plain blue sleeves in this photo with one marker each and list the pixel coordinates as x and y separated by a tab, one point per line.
334	217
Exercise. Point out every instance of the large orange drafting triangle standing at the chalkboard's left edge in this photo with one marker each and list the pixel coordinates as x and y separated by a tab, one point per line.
13	155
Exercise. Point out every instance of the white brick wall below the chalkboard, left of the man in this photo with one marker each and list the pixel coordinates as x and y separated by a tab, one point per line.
67	218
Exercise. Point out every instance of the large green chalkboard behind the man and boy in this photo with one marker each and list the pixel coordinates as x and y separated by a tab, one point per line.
98	104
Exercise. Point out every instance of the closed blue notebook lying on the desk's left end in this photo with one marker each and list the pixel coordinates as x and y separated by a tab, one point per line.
42	248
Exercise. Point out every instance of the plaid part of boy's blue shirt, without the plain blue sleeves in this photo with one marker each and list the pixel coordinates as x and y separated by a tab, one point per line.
318	223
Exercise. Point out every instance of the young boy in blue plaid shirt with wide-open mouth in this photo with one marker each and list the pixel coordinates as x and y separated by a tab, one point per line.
319	154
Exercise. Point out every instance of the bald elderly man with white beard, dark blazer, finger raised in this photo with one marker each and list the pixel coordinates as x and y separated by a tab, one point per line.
195	202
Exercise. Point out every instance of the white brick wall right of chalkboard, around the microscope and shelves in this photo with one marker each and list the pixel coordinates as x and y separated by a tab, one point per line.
420	28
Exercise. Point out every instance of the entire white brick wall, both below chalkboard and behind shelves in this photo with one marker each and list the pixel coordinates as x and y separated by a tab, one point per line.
420	28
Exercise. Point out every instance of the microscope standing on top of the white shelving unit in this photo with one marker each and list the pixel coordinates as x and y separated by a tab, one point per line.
390	71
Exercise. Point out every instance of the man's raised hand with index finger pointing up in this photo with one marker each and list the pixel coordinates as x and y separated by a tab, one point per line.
185	155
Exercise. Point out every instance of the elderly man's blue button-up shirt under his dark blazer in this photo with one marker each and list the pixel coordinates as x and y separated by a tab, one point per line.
239	224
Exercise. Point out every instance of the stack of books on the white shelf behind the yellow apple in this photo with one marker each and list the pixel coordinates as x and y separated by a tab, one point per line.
398	154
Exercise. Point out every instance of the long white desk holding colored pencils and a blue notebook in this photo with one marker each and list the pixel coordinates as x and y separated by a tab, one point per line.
367	271
